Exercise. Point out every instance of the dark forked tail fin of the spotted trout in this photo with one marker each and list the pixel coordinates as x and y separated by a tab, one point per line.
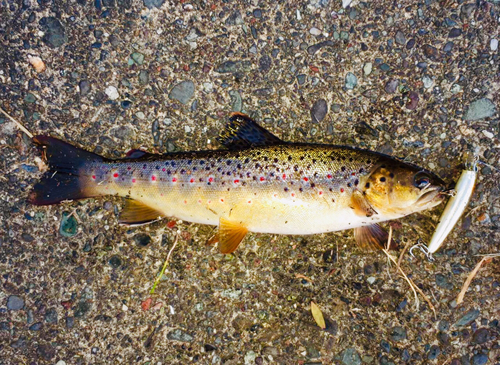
62	180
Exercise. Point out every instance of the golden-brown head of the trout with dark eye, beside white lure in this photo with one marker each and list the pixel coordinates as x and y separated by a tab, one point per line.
400	189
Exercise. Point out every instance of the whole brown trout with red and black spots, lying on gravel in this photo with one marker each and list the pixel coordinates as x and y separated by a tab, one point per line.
256	183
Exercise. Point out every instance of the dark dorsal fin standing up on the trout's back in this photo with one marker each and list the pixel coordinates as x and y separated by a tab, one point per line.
242	132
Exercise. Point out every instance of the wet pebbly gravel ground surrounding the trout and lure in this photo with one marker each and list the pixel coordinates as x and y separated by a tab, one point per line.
419	80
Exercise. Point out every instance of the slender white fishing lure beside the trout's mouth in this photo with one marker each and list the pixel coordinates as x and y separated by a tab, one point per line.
456	204
